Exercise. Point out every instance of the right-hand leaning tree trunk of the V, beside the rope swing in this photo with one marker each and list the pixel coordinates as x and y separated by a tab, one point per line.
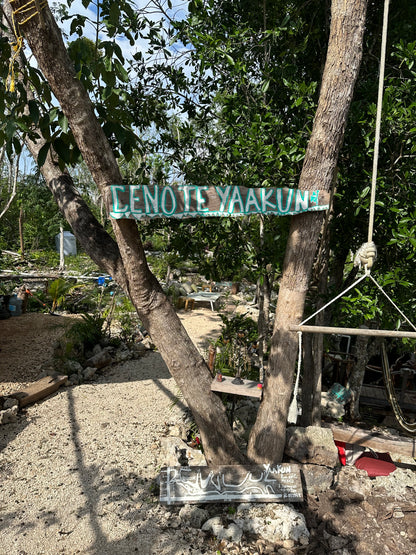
267	439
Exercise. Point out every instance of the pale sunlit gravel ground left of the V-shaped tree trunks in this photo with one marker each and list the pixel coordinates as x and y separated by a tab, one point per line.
78	469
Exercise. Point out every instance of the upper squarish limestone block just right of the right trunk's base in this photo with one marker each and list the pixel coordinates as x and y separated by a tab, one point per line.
311	445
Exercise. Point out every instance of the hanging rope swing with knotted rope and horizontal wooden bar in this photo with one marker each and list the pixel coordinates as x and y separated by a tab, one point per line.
364	258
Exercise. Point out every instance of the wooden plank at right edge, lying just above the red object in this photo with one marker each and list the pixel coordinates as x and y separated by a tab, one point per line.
348	434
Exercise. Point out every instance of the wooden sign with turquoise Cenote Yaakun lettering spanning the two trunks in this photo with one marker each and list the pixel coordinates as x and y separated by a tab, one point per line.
186	201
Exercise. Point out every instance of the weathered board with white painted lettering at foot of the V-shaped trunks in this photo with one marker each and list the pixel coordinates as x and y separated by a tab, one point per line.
226	484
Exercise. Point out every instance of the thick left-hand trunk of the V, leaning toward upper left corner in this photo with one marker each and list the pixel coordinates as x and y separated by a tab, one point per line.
181	356
